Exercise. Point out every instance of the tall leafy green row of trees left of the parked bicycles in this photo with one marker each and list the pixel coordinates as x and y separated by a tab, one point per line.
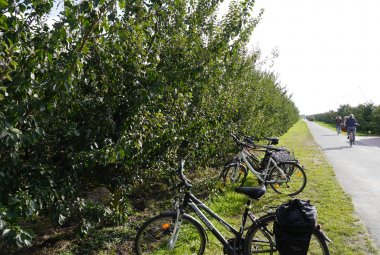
113	93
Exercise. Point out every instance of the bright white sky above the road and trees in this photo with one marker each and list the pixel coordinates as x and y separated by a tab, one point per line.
329	50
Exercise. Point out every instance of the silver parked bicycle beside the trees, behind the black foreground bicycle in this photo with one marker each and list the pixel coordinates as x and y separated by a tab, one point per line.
284	176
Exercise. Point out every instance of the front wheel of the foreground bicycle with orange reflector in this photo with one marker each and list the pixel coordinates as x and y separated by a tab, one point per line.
154	234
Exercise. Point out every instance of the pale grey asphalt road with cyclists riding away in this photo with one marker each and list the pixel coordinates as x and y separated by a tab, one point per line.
358	171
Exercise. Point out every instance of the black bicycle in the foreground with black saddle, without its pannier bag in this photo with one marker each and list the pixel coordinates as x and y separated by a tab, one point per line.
176	232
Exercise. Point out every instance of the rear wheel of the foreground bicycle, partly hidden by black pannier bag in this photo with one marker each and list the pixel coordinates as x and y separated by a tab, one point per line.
258	243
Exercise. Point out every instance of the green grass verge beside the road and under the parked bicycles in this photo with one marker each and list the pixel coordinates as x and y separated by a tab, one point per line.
335	210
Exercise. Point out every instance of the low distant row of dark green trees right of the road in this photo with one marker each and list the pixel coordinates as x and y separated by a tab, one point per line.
367	115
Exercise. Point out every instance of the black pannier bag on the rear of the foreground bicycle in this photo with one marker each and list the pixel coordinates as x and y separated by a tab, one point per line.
294	225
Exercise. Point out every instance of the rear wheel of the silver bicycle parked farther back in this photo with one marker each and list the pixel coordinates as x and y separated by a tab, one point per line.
291	184
